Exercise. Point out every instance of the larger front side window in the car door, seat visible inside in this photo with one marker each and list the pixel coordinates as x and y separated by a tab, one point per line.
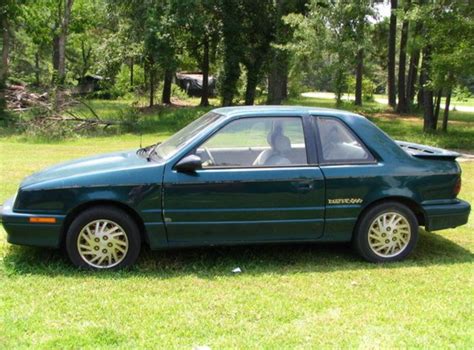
256	142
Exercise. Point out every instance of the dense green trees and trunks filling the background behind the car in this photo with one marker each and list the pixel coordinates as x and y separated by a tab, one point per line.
424	48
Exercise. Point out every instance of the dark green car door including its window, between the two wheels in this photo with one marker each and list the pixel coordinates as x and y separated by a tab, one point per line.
259	182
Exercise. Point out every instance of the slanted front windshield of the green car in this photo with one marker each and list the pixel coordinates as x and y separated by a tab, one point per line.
168	148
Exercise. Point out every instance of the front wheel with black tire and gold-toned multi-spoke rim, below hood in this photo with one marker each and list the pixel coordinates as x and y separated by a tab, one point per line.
103	238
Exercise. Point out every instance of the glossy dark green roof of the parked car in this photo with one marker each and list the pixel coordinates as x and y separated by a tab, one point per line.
279	110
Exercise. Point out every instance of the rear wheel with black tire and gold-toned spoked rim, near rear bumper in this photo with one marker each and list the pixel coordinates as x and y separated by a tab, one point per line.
385	233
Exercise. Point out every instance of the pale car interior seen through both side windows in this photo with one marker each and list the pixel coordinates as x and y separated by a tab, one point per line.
282	146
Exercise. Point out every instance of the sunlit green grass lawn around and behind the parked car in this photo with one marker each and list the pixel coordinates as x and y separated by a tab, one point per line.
288	296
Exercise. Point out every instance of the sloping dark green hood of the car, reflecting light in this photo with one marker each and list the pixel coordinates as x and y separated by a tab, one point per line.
104	167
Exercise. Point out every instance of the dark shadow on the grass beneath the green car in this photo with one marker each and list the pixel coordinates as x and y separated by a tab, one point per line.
284	259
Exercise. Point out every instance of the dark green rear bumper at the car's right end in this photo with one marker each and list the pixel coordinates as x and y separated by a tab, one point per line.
442	216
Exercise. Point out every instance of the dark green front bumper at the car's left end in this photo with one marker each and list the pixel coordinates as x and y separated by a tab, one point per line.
21	231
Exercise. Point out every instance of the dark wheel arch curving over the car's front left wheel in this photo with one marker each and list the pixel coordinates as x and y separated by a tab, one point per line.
72	214
